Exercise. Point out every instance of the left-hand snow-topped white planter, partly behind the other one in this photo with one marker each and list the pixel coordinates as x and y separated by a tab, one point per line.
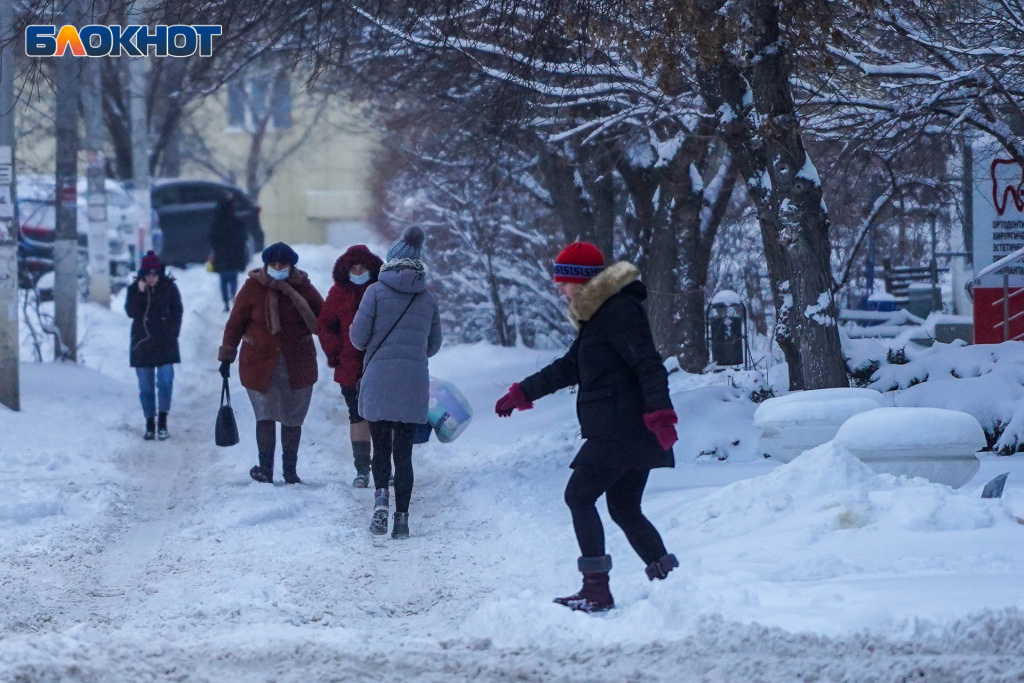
803	420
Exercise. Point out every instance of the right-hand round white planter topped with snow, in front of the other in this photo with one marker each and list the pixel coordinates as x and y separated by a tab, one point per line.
930	443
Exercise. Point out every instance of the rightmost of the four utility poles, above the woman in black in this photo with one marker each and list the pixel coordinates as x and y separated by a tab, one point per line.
140	141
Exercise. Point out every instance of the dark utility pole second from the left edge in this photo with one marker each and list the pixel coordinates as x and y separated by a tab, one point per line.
66	259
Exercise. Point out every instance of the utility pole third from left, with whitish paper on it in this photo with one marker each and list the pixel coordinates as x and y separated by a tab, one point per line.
96	173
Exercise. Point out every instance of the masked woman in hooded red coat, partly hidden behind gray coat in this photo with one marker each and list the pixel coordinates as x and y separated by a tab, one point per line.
357	270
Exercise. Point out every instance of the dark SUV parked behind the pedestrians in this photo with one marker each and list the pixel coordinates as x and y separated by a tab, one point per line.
186	209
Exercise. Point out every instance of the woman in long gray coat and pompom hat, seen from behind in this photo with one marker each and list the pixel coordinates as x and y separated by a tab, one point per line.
399	326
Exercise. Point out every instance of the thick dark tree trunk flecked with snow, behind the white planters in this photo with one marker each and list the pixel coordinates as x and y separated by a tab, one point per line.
763	135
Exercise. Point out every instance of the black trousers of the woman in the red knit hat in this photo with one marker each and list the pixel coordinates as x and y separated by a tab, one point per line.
623	491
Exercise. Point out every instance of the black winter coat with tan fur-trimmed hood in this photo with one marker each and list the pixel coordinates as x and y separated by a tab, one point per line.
619	371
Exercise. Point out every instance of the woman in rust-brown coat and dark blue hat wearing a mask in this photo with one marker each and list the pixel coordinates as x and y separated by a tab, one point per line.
275	320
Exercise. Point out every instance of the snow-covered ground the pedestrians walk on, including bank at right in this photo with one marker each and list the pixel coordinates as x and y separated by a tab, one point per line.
122	560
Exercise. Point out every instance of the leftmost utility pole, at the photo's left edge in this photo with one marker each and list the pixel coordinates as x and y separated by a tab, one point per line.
11	394
